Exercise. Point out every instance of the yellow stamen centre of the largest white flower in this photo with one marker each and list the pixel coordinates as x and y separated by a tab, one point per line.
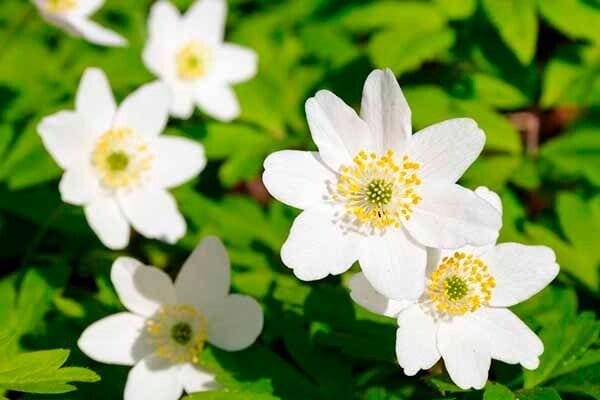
378	192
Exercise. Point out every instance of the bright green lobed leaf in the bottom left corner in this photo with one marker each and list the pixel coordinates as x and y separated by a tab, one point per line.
41	372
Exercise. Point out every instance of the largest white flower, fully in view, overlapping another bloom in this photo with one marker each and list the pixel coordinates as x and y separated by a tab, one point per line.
376	193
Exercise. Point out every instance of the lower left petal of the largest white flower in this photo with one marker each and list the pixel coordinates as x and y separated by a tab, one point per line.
317	247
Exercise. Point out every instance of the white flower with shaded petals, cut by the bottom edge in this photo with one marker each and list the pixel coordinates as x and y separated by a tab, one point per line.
167	325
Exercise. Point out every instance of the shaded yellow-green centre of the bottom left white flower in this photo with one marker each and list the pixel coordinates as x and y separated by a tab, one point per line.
177	332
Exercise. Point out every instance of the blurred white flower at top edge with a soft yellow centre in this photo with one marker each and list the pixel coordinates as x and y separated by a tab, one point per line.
187	52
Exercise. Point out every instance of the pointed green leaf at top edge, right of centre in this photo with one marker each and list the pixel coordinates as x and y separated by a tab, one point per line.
516	22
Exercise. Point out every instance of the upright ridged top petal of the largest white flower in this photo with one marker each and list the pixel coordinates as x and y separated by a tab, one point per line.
386	111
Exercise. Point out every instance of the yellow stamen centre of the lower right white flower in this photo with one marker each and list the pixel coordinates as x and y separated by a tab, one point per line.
460	284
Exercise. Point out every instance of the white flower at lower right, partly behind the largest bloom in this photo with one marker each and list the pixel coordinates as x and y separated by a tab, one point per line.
462	316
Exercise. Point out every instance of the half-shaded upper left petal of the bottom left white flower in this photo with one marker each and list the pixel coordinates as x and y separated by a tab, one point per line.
142	289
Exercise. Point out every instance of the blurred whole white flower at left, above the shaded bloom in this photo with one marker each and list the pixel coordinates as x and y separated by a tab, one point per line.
117	166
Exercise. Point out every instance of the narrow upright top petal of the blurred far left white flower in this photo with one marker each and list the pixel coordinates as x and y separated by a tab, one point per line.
95	101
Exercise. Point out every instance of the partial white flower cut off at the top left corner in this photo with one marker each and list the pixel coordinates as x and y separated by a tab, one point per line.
73	16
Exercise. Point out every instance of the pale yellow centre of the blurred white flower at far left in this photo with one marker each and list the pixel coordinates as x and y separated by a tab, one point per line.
121	157
